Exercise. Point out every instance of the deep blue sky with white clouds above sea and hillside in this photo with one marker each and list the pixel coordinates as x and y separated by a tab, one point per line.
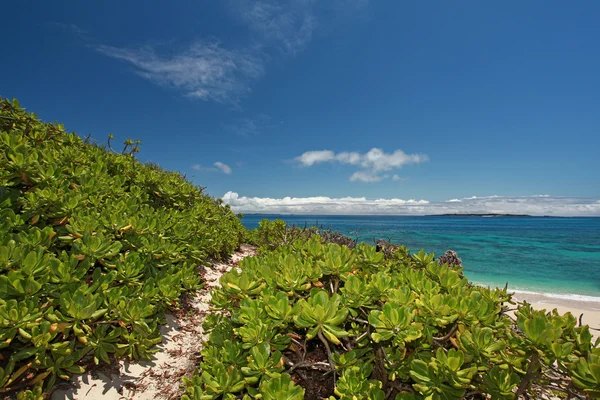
330	106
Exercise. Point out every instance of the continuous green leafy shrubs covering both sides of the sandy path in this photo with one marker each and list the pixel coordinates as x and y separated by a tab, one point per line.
95	246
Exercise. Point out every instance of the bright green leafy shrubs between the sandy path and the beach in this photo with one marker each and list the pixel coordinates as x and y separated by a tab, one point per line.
312	319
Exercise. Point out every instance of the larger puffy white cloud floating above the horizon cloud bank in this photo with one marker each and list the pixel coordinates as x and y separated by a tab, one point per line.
372	163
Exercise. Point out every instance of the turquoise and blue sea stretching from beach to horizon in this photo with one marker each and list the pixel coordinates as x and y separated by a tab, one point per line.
557	256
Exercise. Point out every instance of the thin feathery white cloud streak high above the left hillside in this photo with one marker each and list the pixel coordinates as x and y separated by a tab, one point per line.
204	70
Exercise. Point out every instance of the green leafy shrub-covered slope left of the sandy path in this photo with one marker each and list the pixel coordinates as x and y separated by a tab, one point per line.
94	246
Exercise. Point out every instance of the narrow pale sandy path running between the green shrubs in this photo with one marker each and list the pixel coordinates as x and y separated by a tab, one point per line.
159	378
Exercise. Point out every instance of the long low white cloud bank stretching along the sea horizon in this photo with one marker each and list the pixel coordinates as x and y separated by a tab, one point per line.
321	205
